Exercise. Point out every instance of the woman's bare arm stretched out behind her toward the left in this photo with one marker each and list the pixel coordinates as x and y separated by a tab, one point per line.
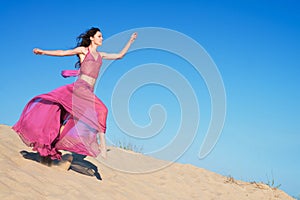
71	52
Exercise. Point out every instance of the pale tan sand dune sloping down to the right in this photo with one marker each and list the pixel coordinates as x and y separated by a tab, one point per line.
25	178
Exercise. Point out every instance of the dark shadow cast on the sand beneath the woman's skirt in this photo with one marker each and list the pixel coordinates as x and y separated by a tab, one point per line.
78	164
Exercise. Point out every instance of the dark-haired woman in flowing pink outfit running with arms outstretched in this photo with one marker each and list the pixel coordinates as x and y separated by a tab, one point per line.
70	117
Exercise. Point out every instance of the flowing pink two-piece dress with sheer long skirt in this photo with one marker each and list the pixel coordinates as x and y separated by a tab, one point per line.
75	106
